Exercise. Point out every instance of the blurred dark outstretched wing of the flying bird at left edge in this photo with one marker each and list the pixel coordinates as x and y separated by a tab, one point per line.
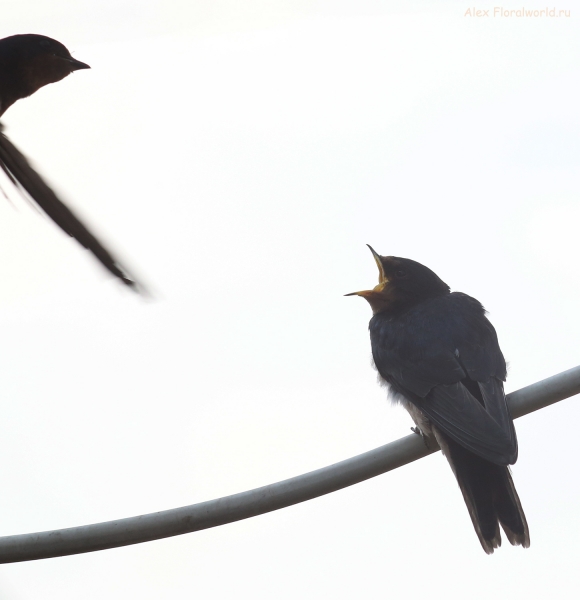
20	172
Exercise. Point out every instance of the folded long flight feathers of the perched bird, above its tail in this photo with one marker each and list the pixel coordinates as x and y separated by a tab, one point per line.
487	431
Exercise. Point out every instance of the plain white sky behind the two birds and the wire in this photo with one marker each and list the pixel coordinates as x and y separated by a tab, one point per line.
239	155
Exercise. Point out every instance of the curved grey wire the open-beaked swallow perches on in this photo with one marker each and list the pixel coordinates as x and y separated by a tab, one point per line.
177	521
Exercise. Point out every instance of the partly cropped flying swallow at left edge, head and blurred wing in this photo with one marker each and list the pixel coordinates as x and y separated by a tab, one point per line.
27	63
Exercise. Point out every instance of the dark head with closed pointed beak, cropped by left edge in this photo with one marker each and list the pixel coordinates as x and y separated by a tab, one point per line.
29	62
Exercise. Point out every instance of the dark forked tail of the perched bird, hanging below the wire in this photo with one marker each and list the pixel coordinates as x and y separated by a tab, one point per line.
490	496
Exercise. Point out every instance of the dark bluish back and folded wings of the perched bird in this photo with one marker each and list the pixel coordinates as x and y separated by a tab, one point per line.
443	356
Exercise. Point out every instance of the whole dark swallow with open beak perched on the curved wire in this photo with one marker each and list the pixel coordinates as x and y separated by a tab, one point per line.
440	357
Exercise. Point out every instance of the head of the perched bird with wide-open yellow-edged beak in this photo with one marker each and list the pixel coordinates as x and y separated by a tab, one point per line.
403	283
